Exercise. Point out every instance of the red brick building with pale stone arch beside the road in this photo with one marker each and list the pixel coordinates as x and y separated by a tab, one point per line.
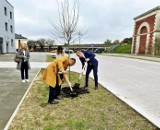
146	31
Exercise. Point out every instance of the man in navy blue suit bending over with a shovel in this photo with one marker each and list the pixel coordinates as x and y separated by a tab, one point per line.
89	57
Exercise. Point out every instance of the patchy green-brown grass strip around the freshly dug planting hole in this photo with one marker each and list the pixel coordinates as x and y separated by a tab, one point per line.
97	110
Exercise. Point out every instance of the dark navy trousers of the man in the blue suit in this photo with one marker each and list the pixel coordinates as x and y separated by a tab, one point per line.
95	71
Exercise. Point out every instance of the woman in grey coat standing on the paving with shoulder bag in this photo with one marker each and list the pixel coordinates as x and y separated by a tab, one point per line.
24	64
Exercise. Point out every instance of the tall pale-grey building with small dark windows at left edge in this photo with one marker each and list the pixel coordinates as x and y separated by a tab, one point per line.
7	29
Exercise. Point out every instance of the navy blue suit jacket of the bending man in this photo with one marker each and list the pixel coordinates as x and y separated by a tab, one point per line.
88	54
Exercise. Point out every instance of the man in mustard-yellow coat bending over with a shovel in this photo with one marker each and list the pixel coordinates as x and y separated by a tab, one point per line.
52	73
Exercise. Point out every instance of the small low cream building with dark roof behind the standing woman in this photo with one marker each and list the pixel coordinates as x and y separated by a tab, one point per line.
19	41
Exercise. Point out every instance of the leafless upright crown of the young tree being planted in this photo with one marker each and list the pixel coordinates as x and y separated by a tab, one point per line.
65	28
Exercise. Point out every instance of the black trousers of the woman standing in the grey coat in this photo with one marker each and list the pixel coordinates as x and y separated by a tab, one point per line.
24	70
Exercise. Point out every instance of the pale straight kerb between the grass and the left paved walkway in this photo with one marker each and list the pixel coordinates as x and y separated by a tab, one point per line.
20	103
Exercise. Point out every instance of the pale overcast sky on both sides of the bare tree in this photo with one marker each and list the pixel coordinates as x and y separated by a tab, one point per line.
104	19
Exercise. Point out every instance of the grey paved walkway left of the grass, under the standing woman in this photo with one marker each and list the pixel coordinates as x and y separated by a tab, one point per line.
11	91
